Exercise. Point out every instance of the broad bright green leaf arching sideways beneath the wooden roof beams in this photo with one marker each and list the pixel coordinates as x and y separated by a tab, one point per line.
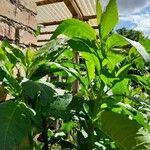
75	28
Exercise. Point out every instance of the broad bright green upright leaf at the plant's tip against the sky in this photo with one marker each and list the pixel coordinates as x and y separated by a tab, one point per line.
109	18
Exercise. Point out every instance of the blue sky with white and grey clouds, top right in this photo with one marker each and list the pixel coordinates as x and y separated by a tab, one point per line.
134	14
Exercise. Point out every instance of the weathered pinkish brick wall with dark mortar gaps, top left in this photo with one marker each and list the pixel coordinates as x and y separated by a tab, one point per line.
18	21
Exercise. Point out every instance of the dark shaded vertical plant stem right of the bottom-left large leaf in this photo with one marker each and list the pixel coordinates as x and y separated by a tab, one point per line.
44	133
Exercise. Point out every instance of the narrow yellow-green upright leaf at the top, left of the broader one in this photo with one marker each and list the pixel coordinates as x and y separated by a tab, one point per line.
98	11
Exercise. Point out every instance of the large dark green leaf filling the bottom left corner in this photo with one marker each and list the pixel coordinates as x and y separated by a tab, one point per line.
15	124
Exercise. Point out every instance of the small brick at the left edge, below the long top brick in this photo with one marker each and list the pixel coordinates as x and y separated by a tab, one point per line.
7	31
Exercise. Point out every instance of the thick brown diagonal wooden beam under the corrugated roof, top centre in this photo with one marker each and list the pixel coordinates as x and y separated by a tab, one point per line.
73	8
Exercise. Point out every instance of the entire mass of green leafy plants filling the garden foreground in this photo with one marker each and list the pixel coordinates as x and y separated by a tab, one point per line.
111	109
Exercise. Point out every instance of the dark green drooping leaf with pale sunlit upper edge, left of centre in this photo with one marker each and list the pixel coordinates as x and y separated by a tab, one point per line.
43	92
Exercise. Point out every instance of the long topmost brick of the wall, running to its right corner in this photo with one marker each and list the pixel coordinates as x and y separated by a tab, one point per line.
11	11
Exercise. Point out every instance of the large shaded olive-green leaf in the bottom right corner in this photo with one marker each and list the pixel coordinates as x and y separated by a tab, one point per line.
127	134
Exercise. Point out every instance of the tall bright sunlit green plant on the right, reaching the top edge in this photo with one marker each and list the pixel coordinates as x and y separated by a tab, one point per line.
113	101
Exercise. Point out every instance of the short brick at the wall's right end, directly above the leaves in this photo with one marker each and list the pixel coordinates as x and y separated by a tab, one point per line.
27	38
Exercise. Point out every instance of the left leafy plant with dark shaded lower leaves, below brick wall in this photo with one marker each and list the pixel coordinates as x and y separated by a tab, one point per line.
32	101
